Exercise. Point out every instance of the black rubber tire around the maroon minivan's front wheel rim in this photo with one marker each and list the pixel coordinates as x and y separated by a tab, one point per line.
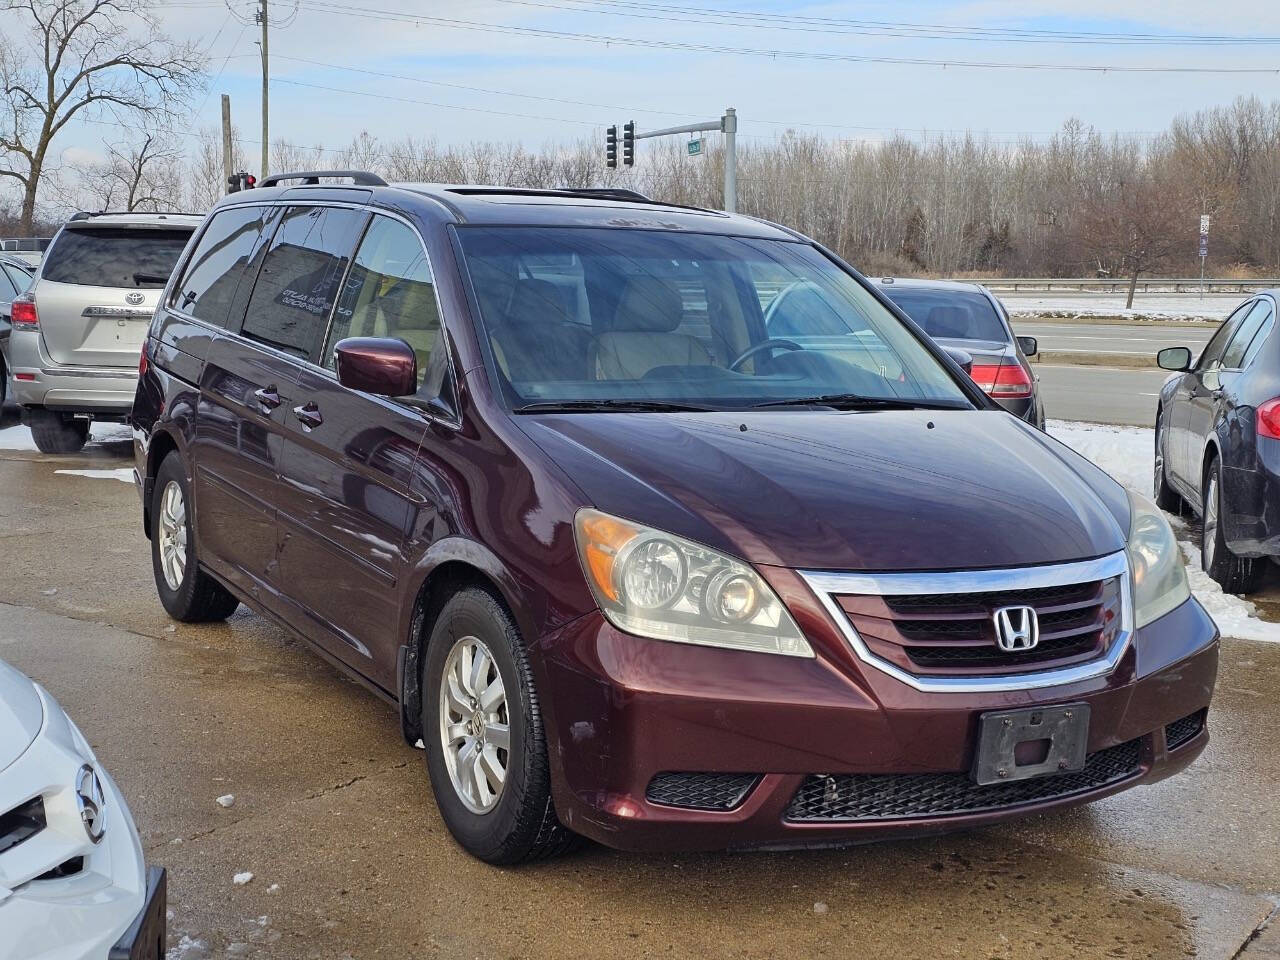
522	825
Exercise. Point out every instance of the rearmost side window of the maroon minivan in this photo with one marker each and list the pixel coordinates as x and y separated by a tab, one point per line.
218	264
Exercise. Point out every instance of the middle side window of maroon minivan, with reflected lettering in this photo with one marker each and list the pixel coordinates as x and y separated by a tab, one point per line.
300	278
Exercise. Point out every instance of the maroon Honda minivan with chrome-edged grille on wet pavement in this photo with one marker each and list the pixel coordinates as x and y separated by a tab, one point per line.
657	525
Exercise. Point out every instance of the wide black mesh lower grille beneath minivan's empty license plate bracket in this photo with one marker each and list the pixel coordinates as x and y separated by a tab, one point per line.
892	797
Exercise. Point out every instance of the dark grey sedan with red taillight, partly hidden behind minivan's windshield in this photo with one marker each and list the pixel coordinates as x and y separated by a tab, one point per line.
967	317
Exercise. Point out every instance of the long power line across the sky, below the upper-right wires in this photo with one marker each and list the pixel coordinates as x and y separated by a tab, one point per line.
764	53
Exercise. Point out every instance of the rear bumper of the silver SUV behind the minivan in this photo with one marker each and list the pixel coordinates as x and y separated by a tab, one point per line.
42	382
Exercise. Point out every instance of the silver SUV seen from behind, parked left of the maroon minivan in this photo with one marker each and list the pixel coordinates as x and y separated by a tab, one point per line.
79	331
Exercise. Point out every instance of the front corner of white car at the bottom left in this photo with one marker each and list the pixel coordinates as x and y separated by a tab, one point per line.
74	883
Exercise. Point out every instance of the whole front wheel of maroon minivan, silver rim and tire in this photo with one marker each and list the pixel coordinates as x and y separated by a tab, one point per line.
483	733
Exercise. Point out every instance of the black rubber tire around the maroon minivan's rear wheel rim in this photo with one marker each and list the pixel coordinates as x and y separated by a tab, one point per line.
198	598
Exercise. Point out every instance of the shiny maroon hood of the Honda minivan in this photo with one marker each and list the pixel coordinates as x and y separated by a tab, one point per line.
845	491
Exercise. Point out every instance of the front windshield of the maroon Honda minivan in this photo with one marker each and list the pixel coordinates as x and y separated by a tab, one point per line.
629	319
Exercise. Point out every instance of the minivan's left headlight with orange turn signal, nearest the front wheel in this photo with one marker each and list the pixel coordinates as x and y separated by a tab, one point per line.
662	587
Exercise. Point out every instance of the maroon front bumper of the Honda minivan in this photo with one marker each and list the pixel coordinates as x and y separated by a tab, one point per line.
624	710
